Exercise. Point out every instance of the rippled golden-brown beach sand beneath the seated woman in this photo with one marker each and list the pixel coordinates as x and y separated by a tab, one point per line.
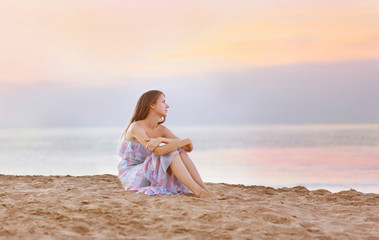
97	207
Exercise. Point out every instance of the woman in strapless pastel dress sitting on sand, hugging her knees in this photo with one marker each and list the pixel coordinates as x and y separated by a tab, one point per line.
153	159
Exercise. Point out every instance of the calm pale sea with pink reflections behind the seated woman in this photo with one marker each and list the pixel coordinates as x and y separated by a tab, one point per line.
333	157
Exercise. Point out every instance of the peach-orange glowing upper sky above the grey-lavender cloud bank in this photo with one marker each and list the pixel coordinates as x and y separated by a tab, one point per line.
102	41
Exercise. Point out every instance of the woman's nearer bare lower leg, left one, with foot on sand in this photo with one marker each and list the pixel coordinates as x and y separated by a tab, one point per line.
180	171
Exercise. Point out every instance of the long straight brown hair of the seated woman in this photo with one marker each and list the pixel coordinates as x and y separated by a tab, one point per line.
143	106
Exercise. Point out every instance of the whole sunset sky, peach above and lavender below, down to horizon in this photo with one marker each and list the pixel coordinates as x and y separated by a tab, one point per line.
85	63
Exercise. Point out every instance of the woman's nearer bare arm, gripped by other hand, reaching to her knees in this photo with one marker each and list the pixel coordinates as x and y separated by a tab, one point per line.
139	133
